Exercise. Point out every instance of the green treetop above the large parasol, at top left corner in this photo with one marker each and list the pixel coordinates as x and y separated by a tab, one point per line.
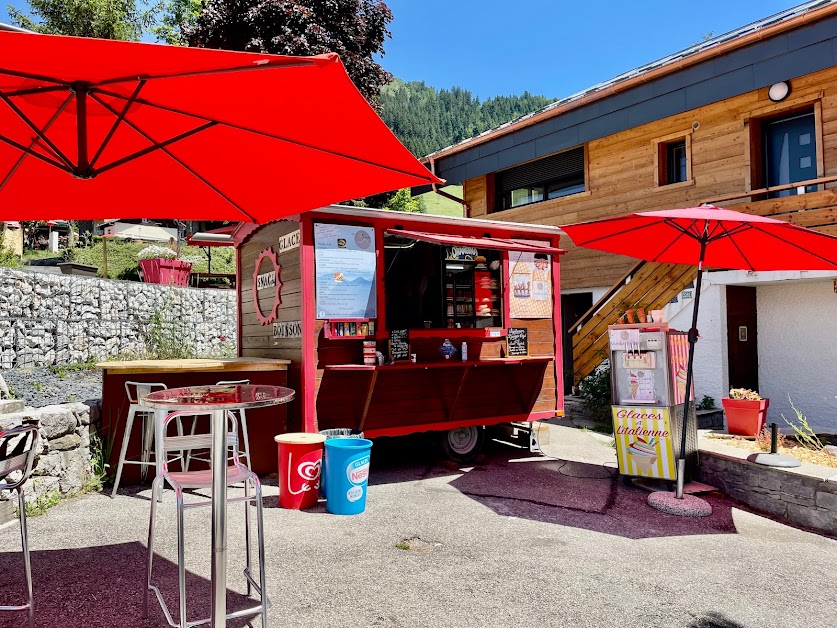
106	19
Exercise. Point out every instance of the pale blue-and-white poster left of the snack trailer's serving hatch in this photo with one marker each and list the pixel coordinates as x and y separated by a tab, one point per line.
345	261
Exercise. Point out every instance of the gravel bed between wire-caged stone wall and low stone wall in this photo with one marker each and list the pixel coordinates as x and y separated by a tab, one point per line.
45	387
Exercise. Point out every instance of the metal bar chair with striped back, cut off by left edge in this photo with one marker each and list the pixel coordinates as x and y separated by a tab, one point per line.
15	458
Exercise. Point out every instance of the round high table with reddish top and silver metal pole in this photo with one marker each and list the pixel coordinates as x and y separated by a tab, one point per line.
216	400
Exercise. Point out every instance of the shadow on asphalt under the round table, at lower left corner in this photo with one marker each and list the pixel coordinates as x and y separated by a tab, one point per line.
101	587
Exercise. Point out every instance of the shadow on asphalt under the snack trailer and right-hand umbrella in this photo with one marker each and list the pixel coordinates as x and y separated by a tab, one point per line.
515	483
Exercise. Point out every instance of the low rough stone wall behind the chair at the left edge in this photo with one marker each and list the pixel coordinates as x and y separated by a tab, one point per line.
63	462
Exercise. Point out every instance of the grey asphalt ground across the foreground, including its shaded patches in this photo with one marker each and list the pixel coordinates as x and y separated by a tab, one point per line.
516	540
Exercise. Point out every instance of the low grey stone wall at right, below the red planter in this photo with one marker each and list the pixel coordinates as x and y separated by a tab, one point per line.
797	497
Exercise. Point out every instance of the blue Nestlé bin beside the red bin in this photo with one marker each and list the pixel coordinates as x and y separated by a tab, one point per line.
347	460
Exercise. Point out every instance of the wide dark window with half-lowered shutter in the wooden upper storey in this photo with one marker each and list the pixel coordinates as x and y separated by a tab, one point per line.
551	177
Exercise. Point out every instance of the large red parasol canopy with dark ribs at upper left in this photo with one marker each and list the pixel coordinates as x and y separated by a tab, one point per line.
92	127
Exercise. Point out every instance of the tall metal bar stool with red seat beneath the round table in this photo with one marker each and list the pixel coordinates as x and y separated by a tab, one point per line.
179	481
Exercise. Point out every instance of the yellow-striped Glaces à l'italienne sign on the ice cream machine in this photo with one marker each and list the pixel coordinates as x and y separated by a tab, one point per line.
644	444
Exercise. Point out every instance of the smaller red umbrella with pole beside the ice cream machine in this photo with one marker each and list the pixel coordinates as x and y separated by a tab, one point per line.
711	236
